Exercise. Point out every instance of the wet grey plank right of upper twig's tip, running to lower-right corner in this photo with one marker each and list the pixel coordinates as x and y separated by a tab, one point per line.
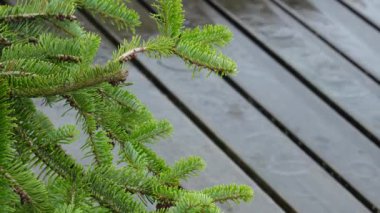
328	135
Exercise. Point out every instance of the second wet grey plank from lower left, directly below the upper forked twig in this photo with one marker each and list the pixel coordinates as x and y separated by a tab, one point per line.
263	147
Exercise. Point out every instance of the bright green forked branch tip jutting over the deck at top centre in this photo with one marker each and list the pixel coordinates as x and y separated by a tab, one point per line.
197	47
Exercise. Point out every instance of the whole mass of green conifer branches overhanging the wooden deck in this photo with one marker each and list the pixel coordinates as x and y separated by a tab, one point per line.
45	53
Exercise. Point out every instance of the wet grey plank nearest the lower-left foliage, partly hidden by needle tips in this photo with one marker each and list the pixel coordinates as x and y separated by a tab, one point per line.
188	140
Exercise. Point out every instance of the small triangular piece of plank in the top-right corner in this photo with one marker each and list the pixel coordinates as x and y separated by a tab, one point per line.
367	9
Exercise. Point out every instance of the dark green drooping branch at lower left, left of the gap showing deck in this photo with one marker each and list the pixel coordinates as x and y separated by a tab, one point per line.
33	134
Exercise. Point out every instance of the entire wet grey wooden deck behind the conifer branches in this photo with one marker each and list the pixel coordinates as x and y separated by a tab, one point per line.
301	121
